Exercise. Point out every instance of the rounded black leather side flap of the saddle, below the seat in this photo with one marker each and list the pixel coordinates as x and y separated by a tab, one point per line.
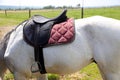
37	35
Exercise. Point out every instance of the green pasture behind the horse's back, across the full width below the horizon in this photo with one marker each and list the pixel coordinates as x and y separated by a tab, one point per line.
15	17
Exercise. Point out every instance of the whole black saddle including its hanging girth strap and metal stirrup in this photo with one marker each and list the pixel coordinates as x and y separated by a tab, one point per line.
36	32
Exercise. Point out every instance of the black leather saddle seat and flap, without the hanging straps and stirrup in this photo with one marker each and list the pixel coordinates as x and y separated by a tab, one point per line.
37	30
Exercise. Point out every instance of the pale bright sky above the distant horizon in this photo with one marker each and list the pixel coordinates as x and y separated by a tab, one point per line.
42	3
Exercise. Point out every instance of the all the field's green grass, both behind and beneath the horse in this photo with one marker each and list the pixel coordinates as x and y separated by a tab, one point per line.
90	72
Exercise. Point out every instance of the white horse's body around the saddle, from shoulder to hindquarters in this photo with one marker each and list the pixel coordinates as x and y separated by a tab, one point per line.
97	39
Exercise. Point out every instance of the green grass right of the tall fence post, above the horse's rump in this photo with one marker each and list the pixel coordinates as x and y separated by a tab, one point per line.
112	12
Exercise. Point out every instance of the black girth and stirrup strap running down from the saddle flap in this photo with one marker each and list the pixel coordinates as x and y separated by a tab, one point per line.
38	50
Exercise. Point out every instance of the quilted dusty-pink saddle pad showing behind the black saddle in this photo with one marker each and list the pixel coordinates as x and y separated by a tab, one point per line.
63	32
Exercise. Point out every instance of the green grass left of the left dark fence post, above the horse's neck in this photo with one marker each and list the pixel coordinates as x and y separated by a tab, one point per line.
12	18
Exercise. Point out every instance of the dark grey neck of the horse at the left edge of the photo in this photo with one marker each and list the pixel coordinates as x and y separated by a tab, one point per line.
3	46
